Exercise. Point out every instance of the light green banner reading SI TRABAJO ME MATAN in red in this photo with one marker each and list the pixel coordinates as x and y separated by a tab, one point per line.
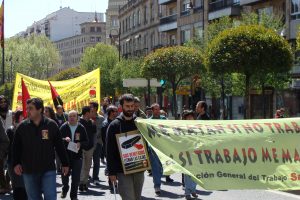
235	154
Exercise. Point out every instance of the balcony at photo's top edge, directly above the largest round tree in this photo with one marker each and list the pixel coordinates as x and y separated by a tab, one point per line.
223	8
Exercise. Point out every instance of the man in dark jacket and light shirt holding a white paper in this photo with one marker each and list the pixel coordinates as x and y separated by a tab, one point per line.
75	139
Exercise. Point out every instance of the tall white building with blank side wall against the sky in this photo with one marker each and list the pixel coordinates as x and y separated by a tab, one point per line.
61	24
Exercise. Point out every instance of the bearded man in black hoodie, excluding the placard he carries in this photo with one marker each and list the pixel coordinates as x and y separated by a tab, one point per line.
129	186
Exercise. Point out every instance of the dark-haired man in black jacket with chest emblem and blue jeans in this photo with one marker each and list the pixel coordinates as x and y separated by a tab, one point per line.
33	152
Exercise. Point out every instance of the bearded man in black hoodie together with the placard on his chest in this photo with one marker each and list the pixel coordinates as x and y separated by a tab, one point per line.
123	142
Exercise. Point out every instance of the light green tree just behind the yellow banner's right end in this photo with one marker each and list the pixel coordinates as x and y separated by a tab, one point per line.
105	57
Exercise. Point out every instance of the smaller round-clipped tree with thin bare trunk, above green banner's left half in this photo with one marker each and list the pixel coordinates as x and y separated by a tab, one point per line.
173	64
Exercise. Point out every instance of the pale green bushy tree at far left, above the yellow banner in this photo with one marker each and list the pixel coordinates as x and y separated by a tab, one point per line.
32	56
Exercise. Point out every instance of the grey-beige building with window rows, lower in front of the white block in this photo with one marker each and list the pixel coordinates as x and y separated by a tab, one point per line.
71	49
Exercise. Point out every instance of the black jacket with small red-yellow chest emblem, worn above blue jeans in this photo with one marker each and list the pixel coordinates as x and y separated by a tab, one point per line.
33	146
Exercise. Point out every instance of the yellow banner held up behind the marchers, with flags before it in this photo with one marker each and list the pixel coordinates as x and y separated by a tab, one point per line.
75	93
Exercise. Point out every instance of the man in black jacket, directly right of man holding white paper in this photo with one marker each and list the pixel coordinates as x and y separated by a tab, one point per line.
87	155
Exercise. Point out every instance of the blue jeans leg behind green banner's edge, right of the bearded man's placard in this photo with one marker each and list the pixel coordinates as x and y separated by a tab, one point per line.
156	168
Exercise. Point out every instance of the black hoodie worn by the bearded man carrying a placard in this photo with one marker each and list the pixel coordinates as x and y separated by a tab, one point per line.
119	125
